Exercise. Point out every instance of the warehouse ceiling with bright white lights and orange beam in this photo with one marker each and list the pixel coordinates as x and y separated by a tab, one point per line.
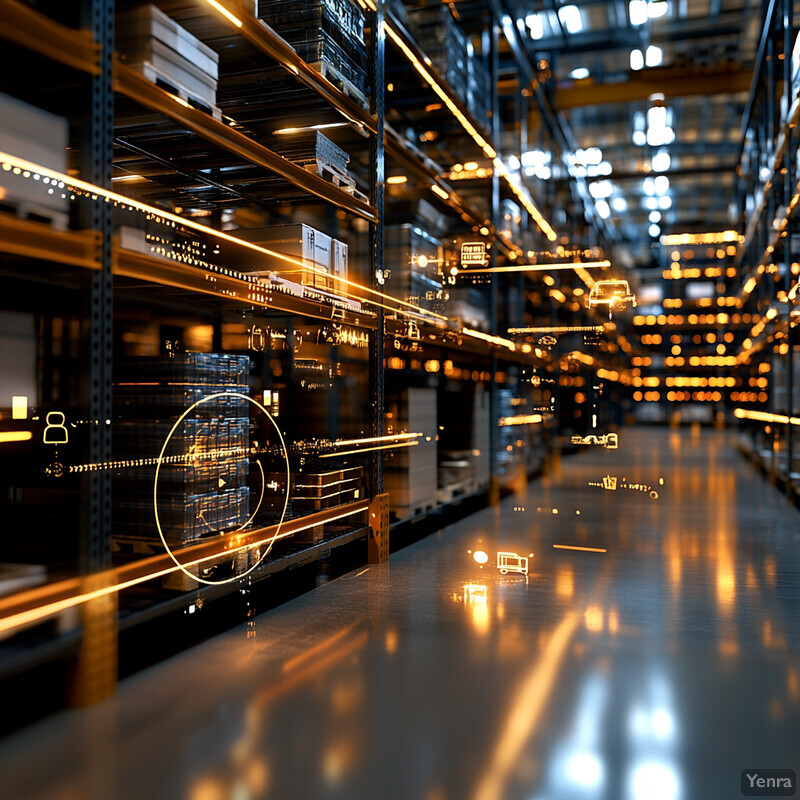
659	89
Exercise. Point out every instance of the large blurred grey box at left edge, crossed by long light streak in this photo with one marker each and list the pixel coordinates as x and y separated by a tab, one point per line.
37	136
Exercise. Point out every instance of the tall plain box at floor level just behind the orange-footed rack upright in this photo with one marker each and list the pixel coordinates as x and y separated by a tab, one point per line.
410	472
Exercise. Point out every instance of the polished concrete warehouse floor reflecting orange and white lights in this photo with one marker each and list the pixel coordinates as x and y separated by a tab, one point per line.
656	670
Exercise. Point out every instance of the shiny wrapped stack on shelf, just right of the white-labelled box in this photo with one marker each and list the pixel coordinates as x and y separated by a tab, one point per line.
413	260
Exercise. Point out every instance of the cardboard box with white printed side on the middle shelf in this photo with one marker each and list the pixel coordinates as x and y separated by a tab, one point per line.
325	258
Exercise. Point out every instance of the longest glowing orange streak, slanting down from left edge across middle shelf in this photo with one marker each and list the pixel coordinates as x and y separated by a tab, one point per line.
69	181
